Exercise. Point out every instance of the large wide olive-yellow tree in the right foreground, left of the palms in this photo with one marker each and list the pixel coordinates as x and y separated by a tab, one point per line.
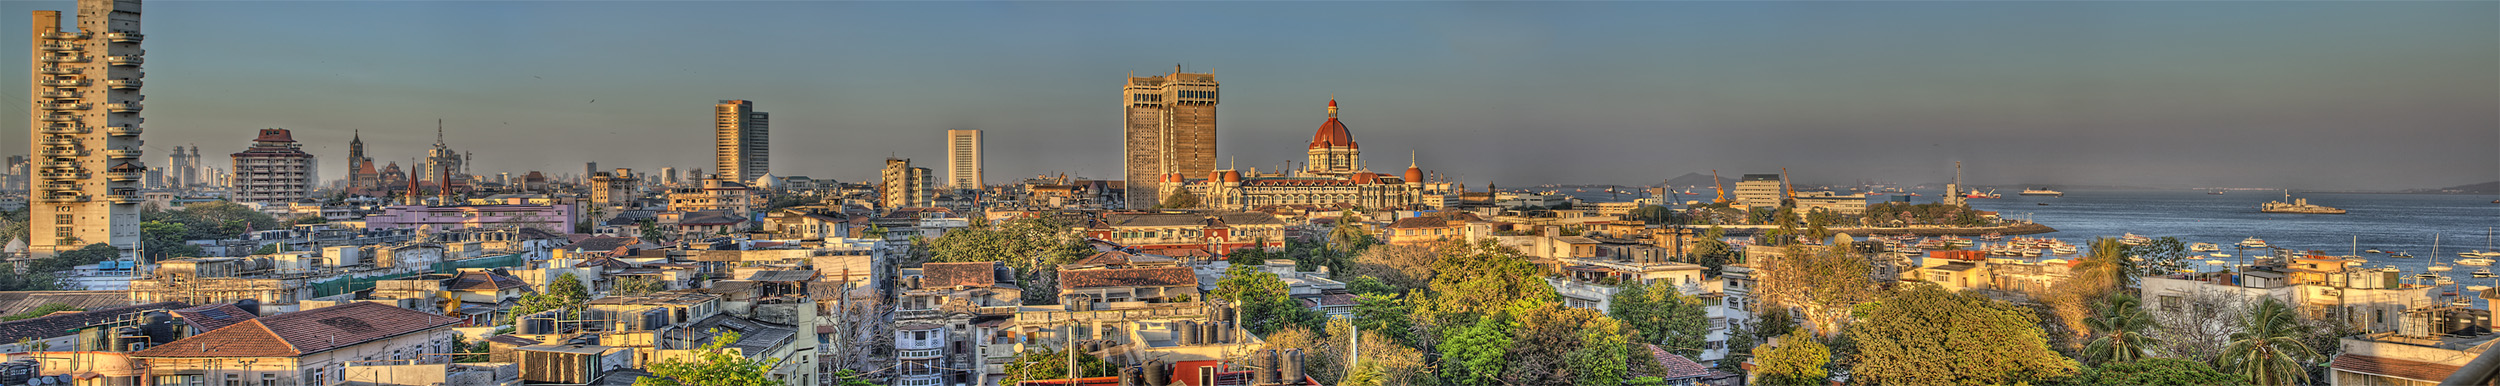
1924	335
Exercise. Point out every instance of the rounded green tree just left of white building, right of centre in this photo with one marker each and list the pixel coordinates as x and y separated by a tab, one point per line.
1666	317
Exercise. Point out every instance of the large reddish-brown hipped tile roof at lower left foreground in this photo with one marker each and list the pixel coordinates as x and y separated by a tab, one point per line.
301	332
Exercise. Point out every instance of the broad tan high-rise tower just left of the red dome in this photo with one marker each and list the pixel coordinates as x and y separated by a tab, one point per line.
1169	127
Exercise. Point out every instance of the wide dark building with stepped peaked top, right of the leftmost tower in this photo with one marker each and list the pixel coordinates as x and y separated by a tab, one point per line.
274	172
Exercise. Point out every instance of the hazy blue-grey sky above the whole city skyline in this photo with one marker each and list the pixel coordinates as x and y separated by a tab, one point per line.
2341	96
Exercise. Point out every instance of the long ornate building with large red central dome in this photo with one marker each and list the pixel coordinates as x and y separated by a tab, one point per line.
1331	177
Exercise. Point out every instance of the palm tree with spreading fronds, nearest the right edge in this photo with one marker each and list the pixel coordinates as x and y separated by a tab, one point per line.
2269	347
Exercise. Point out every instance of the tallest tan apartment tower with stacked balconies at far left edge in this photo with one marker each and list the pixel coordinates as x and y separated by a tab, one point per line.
86	129
